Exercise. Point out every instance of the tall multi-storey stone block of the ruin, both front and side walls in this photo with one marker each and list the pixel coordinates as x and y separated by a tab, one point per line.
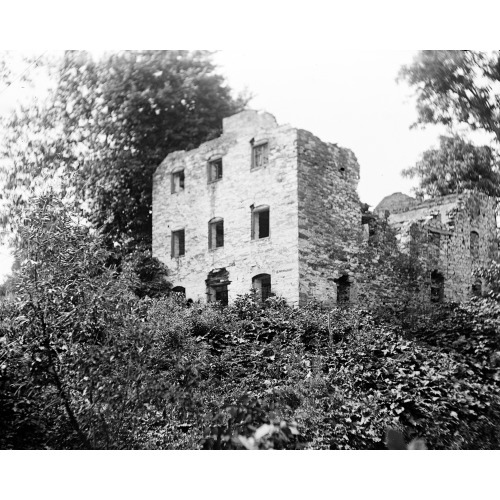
307	186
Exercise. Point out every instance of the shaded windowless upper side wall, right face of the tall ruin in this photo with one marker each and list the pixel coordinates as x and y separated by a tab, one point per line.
329	217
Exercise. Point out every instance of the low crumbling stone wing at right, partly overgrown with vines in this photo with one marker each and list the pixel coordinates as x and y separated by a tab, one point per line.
456	234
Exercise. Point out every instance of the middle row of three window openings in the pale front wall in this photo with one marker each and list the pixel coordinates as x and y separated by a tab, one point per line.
260	228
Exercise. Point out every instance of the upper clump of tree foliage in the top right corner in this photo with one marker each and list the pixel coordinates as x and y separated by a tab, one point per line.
457	86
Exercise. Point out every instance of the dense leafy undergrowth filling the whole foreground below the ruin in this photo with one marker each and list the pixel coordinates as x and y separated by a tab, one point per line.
86	363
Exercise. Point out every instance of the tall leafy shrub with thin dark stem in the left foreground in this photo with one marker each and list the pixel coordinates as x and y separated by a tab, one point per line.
76	350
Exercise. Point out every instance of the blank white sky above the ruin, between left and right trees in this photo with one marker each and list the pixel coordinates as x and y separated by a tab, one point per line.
345	97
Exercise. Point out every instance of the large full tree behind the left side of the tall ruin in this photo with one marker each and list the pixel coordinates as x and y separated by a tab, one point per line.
105	126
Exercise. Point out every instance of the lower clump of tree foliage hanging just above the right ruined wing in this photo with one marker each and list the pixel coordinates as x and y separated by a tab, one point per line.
456	166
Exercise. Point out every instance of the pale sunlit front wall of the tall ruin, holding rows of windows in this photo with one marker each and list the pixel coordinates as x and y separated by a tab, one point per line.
231	198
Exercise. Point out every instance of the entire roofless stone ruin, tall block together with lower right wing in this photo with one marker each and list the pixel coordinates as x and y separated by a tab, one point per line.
272	208
